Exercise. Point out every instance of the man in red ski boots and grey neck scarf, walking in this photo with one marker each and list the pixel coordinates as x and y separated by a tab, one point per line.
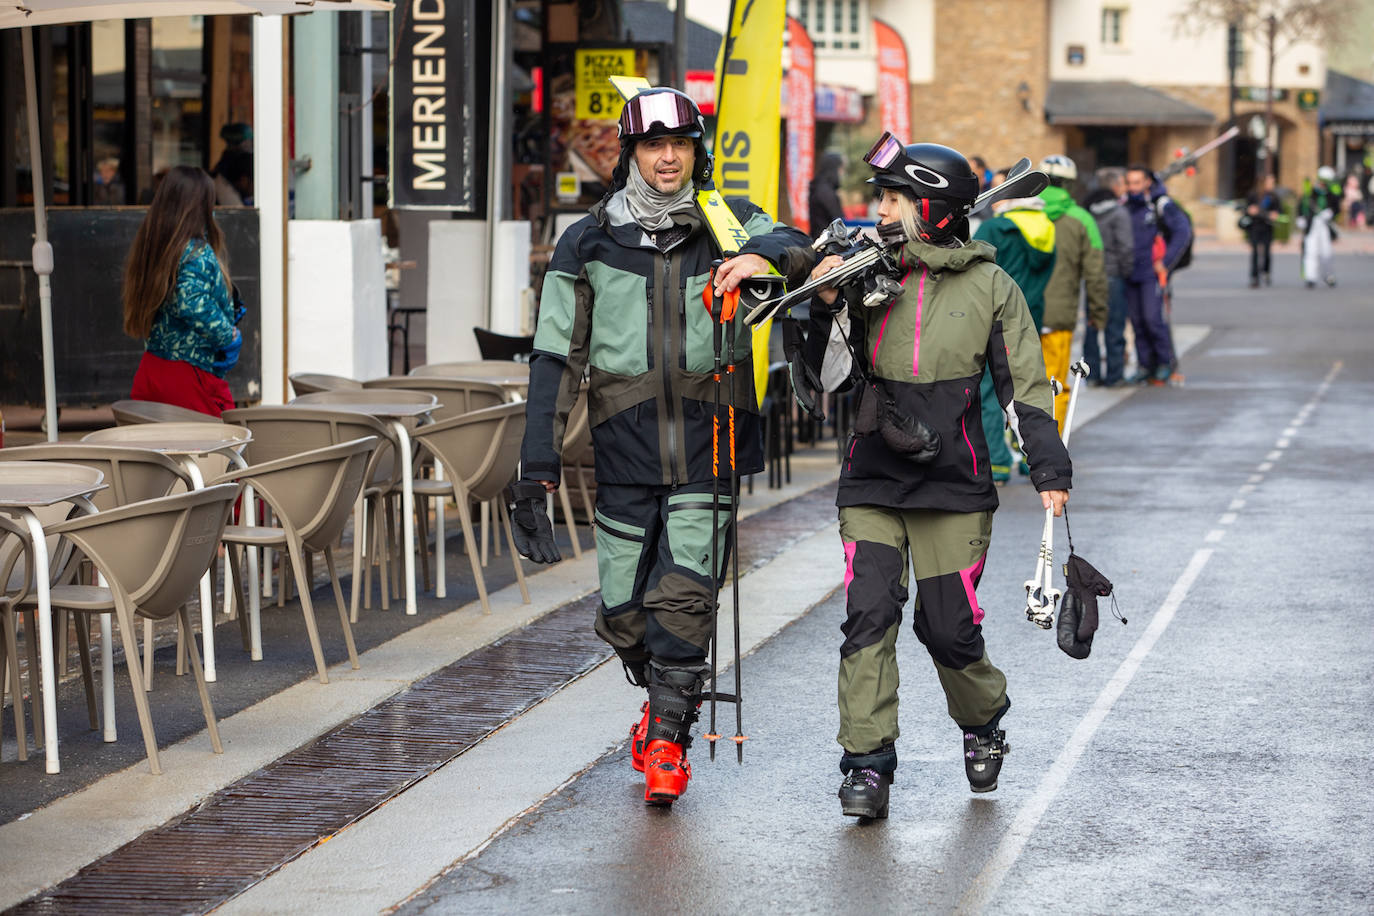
623	301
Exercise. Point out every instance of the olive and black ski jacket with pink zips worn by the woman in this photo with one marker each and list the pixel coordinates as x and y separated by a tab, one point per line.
958	312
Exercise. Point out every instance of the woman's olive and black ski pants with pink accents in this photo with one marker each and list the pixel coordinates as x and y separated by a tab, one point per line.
946	553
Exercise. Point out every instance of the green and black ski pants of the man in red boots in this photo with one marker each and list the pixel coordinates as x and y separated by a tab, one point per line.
653	558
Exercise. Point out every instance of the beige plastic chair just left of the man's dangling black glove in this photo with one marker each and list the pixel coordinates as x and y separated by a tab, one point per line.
480	454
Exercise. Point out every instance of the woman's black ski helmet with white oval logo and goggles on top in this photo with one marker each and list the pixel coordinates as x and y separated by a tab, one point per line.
939	179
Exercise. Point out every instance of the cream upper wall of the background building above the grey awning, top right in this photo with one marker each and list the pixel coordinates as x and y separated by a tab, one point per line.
1156	53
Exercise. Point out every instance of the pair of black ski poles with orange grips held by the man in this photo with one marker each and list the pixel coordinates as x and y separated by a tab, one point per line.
722	310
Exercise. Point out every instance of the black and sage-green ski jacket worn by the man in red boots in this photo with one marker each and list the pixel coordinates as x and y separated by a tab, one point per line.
631	315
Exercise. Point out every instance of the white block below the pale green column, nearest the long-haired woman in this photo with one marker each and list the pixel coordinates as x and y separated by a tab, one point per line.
337	288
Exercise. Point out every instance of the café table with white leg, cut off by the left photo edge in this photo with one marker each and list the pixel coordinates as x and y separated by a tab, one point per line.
24	488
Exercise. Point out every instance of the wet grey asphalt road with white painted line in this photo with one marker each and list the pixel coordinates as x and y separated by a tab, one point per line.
1211	756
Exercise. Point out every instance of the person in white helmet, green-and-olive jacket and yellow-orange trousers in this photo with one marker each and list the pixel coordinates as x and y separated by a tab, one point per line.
1078	267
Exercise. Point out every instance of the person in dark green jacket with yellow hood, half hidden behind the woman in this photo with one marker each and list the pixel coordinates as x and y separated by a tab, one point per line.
1024	240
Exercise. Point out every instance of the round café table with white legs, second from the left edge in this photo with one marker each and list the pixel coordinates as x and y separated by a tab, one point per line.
188	443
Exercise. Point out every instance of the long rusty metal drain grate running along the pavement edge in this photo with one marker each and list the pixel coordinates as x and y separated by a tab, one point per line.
249	830
